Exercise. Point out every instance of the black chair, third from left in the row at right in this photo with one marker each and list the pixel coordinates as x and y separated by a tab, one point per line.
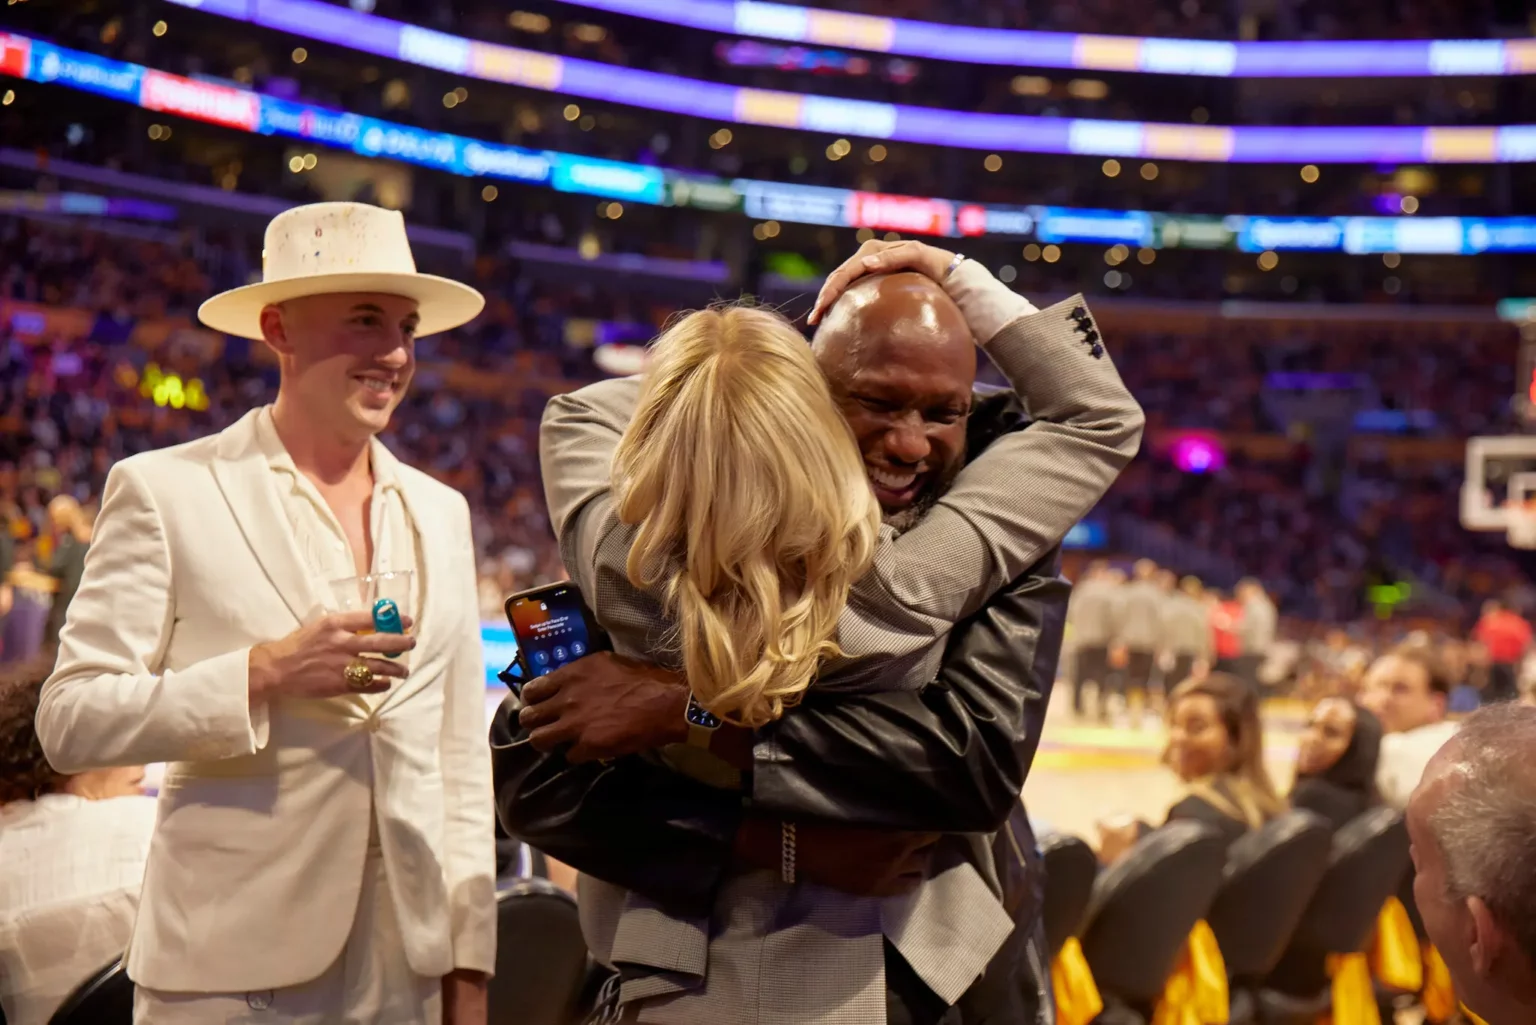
1270	880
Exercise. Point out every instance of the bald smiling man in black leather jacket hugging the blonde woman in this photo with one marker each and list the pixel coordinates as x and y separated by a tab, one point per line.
869	778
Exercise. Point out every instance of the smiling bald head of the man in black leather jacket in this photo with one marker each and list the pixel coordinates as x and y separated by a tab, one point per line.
902	367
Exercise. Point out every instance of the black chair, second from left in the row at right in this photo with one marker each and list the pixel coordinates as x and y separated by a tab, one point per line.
1142	912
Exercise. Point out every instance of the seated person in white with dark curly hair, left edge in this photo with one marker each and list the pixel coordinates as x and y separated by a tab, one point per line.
73	849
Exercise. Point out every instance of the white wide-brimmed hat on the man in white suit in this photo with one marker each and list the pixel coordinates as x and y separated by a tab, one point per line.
328	248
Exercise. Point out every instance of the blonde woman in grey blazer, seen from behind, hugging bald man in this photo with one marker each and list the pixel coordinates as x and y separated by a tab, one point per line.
717	517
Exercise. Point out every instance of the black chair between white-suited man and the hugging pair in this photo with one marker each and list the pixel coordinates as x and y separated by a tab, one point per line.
541	958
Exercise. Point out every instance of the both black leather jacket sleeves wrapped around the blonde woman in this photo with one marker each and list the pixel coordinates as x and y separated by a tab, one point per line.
950	758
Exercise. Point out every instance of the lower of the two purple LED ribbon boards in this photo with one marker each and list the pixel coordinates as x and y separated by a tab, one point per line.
998	133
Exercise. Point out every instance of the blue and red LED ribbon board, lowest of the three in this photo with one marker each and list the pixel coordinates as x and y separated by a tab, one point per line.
230	107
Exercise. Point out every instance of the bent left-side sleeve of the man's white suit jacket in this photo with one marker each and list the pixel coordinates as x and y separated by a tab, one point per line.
110	702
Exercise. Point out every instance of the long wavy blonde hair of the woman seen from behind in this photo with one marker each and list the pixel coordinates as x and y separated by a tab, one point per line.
753	506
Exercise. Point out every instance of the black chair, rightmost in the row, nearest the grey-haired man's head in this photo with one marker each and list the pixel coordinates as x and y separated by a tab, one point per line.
1365	869
